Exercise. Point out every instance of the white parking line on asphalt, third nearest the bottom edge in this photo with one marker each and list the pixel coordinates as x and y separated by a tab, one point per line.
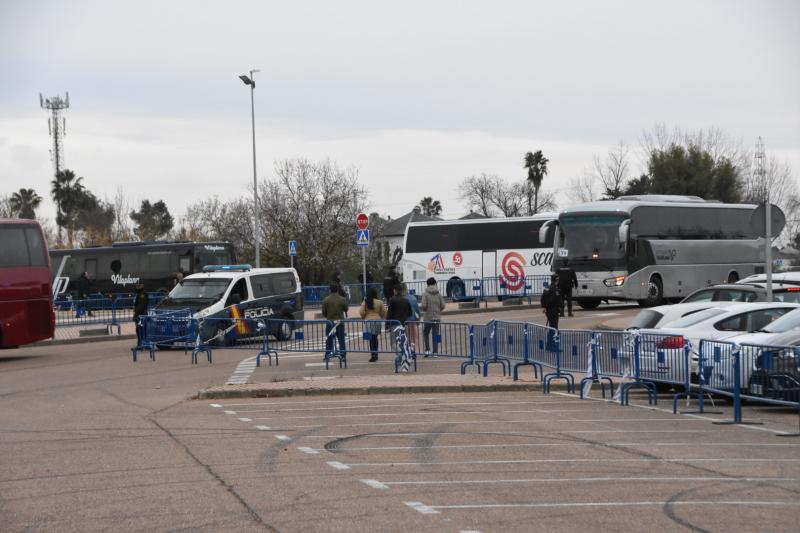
345	466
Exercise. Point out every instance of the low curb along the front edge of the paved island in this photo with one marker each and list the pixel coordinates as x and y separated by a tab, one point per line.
211	394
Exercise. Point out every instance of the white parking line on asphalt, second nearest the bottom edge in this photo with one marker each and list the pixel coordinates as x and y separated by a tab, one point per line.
650	479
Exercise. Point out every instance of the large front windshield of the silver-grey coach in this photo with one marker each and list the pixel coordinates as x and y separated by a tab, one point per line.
592	237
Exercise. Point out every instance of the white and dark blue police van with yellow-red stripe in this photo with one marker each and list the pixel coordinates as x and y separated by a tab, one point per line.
225	292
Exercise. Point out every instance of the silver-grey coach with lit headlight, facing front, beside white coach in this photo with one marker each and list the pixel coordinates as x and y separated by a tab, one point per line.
650	248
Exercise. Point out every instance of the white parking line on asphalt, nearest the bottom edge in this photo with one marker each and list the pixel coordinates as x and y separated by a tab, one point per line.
434	509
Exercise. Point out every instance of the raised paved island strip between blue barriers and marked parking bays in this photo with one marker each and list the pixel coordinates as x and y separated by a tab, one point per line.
372	384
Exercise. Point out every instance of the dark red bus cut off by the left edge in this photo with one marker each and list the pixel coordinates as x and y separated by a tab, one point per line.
26	294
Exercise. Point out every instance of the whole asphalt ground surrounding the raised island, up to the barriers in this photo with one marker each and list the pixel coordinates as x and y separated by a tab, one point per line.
92	441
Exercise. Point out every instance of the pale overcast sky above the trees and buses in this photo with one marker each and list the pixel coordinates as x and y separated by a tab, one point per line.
417	95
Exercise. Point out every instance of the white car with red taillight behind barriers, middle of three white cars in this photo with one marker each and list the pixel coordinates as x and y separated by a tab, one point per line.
716	323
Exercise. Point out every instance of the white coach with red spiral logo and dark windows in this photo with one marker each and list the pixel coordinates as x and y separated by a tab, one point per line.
500	251
